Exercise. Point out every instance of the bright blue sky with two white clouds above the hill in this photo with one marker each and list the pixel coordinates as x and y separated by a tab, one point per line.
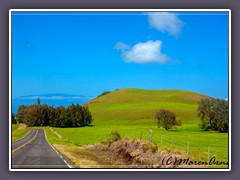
88	53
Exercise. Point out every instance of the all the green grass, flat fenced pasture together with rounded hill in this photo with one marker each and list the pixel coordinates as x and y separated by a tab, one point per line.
131	112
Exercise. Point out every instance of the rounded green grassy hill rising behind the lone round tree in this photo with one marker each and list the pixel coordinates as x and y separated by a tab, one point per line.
137	105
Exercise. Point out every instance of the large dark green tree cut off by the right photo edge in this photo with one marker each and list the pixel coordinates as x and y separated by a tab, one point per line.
213	114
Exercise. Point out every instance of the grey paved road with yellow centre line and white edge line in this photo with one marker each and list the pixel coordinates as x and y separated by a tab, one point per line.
34	151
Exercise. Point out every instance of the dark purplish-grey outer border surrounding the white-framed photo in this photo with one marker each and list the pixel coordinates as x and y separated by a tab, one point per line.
5	5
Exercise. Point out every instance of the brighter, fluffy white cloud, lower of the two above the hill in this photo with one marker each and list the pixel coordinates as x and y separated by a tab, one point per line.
145	52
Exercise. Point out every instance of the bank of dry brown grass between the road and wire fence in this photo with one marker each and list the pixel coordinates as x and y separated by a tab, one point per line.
132	153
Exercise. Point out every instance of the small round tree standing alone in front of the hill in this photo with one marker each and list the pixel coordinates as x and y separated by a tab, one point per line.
166	119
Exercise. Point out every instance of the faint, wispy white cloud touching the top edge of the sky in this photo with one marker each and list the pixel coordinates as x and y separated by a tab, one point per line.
166	22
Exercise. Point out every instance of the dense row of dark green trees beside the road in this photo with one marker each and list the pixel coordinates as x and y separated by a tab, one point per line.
44	115
